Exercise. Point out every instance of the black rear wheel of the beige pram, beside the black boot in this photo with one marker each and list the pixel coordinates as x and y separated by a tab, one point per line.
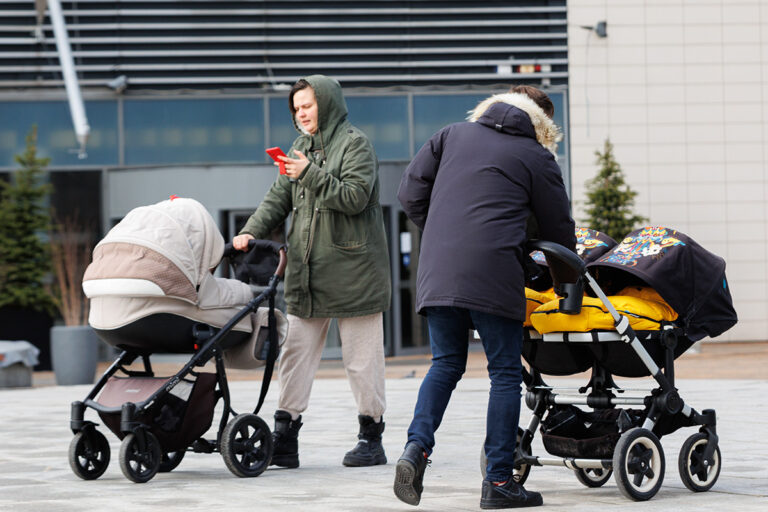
246	445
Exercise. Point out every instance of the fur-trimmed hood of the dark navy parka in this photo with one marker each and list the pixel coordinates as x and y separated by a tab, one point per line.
537	124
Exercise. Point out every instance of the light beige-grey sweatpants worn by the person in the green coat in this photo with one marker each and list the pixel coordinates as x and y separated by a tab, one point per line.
362	349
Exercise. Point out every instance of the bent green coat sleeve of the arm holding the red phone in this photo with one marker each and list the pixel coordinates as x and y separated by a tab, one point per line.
351	191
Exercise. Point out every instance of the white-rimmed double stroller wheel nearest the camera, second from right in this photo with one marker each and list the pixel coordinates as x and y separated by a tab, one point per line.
638	464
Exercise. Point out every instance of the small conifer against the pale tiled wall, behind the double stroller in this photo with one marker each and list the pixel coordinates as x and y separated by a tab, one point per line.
610	200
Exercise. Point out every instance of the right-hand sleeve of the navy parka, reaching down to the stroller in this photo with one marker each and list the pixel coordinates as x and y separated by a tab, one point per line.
550	205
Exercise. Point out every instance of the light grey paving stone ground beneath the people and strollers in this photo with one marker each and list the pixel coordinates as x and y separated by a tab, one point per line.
35	474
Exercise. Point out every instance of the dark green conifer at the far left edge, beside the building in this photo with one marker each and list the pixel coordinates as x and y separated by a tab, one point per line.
25	261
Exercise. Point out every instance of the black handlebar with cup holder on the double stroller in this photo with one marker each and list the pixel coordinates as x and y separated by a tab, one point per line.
566	269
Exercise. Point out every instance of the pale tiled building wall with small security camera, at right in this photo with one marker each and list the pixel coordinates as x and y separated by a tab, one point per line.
681	89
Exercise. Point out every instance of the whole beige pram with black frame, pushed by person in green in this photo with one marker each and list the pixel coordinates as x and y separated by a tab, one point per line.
152	290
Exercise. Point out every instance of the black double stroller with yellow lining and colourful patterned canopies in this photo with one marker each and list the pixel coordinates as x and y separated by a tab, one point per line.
649	299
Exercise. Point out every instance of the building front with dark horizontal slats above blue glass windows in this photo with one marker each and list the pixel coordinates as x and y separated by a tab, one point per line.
183	97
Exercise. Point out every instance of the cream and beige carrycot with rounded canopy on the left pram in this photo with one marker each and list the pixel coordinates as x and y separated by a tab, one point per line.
151	277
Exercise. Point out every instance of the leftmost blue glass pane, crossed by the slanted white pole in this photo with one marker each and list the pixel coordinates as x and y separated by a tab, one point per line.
55	133
